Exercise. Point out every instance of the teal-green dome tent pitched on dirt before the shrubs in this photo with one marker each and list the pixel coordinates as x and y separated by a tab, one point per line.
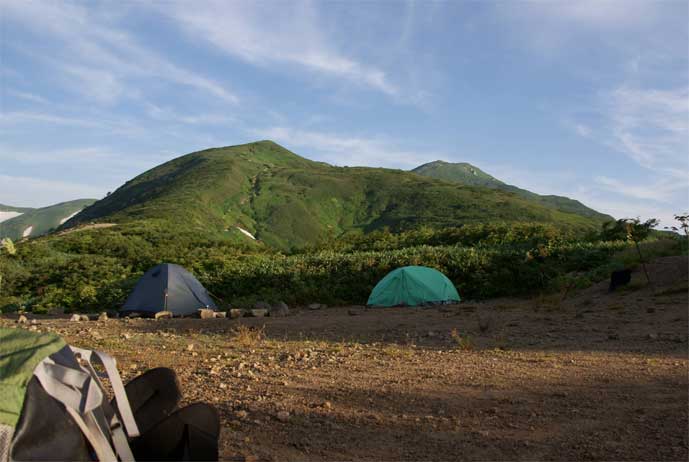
412	286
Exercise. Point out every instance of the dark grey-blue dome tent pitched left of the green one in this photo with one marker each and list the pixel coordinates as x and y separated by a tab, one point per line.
168	287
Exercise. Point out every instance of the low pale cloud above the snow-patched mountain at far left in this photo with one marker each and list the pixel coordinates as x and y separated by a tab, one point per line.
39	192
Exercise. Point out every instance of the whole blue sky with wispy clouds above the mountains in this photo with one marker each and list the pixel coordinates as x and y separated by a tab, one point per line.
588	99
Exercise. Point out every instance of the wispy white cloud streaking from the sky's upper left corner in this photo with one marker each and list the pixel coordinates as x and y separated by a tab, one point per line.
97	59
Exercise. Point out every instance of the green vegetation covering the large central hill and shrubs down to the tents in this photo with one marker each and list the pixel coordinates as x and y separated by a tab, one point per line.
325	234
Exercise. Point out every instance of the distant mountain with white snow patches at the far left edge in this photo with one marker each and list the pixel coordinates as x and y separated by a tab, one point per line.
35	222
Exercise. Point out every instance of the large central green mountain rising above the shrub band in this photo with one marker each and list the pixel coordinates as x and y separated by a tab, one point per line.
263	190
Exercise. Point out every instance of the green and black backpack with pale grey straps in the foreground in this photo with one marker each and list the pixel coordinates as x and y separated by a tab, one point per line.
53	406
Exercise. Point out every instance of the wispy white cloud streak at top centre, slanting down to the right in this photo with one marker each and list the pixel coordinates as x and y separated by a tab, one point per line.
273	33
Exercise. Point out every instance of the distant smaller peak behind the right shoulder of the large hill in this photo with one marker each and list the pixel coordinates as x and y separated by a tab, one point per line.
468	175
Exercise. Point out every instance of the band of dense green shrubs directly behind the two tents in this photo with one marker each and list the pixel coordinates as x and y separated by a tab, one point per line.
94	269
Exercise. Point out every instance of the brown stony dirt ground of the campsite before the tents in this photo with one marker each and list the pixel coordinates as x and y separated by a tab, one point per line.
596	376
